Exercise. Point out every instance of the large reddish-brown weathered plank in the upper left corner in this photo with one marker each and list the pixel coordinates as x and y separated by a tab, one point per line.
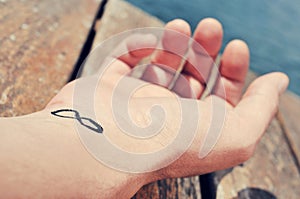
40	42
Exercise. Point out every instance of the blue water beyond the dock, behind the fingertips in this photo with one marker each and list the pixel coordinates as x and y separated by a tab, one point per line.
270	27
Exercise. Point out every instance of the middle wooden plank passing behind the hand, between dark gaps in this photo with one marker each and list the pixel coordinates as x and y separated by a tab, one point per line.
120	16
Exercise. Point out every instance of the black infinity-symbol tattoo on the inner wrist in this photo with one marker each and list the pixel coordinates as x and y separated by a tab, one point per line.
97	127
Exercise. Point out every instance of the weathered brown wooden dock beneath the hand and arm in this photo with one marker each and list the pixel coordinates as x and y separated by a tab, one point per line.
41	43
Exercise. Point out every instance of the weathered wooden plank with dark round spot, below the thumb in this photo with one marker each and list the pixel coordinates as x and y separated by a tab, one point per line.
270	173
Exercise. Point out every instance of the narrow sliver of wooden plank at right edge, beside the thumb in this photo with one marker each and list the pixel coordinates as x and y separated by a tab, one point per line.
289	115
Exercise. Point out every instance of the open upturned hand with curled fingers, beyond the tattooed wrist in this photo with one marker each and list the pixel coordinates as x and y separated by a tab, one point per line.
244	119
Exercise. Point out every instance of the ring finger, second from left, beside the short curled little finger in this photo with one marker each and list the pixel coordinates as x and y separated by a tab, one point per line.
166	61
